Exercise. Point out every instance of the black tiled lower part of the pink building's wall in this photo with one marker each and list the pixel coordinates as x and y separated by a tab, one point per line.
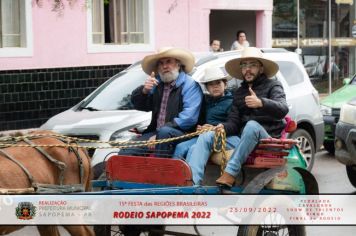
29	97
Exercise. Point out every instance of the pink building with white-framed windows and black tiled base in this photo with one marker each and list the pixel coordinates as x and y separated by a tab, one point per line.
51	60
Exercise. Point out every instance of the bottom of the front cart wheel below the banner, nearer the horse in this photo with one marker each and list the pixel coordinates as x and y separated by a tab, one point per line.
129	230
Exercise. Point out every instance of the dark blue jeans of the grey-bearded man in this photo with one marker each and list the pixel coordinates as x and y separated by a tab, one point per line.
162	149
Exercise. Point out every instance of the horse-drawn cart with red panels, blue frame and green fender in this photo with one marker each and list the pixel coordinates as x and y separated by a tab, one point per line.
276	167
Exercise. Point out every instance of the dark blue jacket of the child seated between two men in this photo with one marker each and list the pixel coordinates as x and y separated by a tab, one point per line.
217	109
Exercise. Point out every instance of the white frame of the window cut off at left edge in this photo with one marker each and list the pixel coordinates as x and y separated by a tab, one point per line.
26	35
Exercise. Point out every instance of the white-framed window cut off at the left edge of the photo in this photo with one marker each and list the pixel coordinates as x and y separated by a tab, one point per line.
15	25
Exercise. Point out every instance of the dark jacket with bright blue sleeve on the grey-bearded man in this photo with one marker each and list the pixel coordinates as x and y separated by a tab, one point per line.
183	106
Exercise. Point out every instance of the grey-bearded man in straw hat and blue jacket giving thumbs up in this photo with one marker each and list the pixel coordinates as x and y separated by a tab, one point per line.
171	94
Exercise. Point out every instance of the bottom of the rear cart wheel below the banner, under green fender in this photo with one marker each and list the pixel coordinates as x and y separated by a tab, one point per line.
271	230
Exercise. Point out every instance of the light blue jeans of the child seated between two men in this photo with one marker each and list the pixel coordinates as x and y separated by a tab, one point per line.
198	154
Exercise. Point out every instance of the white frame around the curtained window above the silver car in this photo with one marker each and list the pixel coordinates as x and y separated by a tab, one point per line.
100	48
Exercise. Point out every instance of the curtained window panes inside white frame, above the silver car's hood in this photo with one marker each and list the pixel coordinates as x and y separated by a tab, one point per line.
120	22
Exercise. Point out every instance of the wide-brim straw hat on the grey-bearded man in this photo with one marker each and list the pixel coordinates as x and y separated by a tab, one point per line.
149	63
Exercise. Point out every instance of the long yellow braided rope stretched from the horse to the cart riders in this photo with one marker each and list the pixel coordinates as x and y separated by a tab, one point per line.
4	142
